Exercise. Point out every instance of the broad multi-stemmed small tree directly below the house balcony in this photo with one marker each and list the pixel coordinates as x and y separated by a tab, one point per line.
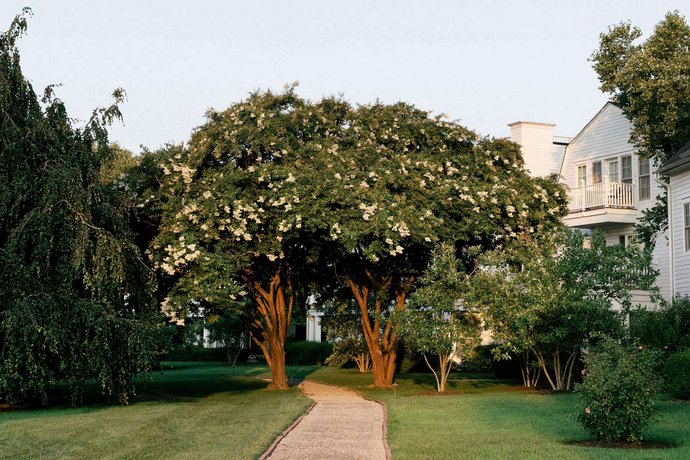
549	297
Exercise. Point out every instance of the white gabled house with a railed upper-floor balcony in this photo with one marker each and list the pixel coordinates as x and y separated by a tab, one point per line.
610	185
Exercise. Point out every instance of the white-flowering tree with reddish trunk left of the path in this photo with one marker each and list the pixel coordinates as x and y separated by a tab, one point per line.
233	233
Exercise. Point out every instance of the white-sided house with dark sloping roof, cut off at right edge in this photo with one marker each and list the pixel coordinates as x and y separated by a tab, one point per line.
677	168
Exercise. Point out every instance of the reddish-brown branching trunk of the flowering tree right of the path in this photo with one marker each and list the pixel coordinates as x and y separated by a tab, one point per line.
382	344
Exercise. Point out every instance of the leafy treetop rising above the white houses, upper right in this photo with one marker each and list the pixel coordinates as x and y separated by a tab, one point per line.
649	81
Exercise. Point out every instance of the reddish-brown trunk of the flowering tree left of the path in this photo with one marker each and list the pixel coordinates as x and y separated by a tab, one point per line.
272	323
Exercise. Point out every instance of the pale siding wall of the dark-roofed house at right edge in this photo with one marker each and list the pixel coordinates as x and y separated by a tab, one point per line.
680	194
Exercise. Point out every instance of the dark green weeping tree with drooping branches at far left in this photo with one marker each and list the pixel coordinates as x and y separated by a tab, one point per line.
75	296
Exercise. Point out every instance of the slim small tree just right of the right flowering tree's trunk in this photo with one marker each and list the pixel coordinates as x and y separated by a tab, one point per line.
435	324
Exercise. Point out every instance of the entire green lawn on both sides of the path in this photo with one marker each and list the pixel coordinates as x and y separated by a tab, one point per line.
200	410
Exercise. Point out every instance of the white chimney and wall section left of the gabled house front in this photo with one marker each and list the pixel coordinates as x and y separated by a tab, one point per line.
542	151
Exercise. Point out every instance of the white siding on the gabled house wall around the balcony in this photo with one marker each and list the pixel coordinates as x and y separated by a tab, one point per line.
607	137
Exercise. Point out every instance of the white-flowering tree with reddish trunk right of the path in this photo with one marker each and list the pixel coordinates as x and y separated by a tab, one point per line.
396	182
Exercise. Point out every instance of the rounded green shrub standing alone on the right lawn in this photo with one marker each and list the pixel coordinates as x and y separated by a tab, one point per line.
616	396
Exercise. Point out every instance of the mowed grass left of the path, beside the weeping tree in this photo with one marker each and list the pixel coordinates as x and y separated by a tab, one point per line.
190	411
